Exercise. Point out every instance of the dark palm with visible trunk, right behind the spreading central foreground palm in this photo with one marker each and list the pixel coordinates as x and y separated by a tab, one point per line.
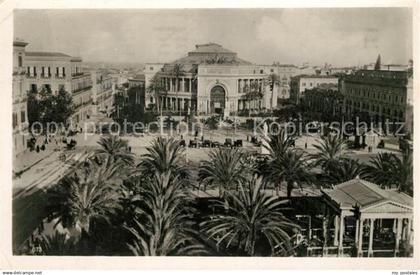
290	168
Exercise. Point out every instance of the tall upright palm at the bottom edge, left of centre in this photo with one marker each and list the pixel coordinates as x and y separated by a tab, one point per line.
163	226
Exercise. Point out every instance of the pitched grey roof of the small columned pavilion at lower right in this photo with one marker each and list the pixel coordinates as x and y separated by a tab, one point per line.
365	194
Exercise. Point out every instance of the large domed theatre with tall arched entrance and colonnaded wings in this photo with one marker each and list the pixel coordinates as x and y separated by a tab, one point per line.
212	80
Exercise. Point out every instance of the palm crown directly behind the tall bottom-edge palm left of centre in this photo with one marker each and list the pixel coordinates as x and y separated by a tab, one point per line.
163	156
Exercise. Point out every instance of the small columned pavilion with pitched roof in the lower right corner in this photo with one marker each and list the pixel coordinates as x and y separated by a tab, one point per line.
368	218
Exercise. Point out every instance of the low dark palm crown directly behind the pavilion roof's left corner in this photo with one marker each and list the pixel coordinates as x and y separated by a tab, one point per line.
347	169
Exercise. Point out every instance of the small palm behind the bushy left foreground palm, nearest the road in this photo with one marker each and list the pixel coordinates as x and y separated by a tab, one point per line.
114	148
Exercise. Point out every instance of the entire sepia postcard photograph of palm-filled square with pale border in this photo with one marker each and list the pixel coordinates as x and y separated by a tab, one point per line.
240	132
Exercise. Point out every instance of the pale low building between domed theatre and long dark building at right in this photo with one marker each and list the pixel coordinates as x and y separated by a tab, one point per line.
300	83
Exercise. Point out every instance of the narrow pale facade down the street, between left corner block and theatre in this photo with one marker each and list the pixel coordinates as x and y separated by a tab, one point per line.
102	92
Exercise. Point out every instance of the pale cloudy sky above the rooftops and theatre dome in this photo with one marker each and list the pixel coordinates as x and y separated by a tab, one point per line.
338	36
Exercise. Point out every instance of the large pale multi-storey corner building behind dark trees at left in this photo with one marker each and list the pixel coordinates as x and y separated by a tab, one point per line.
55	71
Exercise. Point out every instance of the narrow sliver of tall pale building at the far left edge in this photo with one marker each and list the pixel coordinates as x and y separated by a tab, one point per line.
20	114
